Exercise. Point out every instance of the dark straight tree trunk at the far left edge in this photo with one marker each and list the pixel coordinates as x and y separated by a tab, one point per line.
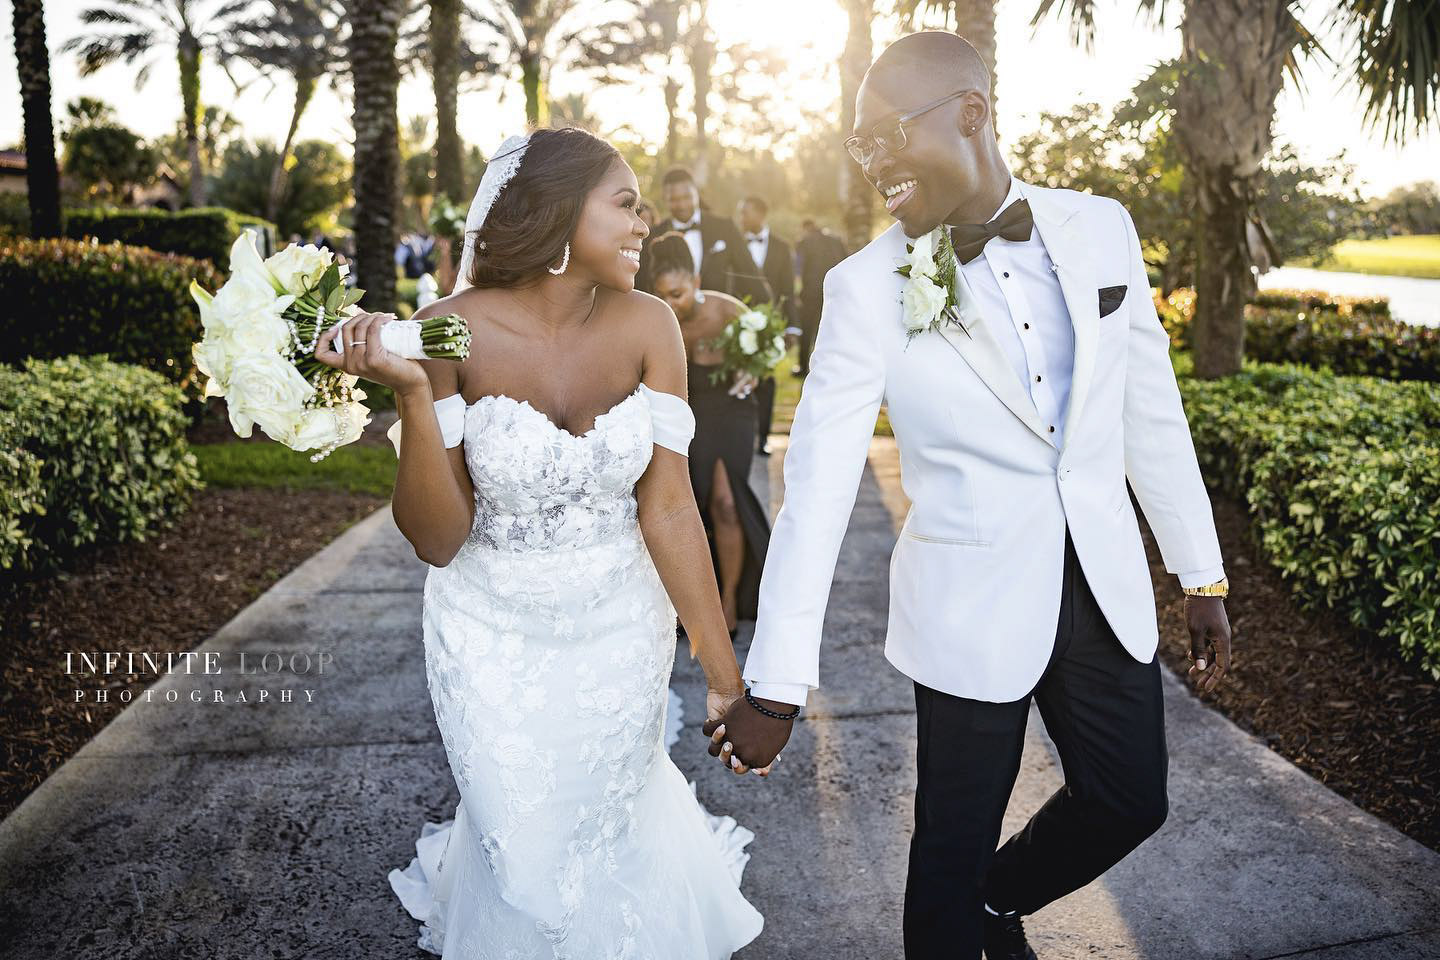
42	176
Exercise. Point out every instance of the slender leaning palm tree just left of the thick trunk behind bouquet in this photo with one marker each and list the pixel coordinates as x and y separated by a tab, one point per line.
302	40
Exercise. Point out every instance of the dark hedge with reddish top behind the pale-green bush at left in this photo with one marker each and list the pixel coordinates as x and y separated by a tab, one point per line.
81	297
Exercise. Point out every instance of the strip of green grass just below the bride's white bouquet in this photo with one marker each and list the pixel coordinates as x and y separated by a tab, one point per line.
358	468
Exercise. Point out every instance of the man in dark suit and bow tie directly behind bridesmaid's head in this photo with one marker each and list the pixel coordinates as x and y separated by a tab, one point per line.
715	243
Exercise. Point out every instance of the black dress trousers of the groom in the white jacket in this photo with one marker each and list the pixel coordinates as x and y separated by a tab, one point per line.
1105	713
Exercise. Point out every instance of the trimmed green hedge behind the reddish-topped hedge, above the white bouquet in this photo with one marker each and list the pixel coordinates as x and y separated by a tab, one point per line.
204	234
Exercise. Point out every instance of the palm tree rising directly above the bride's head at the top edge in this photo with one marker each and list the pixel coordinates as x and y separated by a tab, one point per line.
539	34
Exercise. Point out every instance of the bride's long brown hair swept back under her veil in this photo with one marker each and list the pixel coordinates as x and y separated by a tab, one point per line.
536	214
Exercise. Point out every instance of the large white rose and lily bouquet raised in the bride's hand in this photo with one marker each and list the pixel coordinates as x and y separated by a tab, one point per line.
260	343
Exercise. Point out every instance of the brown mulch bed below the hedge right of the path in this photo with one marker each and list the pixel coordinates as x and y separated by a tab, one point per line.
1341	706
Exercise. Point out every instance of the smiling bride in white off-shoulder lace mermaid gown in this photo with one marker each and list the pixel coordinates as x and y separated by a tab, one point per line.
545	483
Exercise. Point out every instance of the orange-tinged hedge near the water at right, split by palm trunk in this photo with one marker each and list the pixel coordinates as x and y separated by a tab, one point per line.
1347	336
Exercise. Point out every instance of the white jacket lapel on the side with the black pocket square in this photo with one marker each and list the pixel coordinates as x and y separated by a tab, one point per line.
1076	271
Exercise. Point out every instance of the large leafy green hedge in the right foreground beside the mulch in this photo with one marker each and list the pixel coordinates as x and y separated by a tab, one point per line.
1343	479
